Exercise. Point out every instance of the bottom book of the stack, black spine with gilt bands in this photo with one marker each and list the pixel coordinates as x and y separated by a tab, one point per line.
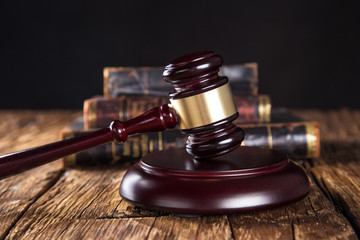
298	140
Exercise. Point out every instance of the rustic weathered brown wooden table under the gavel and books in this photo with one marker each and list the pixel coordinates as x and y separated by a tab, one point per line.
83	203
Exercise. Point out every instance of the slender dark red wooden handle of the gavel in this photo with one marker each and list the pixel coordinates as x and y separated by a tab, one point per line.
154	120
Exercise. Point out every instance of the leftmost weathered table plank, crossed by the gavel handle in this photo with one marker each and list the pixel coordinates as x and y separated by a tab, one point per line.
20	130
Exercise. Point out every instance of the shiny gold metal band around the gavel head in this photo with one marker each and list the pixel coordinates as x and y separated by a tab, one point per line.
204	108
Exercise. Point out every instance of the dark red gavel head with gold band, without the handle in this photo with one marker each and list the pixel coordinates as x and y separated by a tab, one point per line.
204	104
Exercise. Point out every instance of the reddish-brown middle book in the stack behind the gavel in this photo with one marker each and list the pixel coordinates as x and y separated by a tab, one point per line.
99	112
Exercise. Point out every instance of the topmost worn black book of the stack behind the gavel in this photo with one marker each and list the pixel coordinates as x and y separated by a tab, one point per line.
149	81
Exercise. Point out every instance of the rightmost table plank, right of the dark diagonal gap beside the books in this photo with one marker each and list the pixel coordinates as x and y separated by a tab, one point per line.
337	171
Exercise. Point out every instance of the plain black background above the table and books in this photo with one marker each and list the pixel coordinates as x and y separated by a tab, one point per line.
52	52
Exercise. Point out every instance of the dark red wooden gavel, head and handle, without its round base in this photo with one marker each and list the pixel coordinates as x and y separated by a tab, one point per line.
201	105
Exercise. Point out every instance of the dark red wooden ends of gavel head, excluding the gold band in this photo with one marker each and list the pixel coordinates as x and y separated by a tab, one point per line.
193	74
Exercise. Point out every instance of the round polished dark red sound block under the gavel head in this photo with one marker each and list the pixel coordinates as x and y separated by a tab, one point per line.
245	179
